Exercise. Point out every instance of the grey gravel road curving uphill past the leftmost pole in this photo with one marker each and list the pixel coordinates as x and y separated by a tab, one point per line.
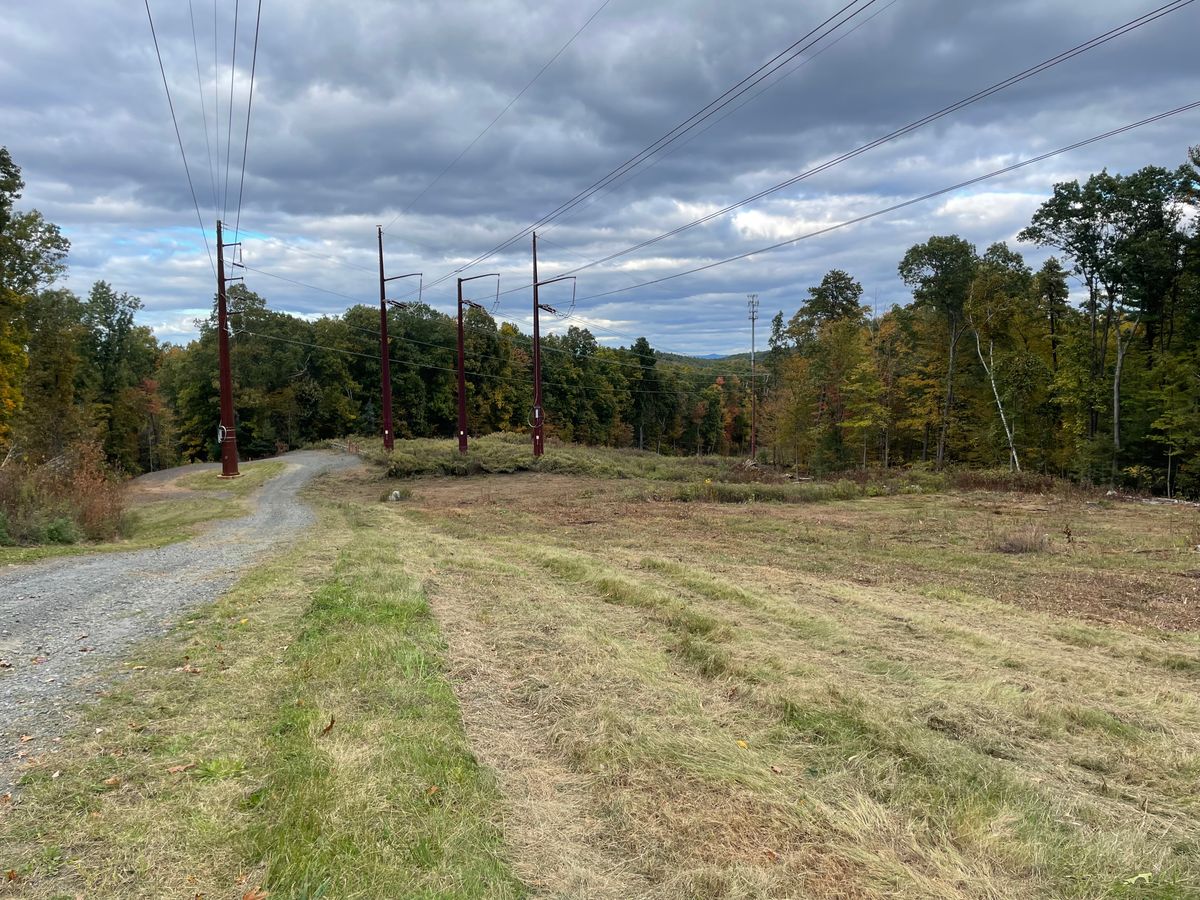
64	622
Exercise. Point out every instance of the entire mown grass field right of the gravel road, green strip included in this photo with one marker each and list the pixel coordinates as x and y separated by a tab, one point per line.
560	686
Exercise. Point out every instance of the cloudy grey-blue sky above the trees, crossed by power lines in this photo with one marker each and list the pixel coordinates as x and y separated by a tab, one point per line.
358	107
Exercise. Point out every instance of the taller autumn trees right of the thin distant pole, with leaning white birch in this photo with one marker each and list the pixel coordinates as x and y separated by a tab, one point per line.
1088	368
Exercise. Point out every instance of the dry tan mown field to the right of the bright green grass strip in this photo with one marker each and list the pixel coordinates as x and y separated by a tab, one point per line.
877	698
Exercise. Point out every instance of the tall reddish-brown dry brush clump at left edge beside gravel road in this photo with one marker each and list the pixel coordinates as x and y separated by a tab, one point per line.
70	499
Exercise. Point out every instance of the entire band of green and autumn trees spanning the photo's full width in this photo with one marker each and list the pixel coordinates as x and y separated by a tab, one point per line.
1087	368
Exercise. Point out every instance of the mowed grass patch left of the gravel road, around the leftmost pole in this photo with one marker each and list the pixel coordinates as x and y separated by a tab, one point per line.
167	513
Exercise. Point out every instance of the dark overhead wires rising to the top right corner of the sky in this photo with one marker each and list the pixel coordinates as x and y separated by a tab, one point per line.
1113	34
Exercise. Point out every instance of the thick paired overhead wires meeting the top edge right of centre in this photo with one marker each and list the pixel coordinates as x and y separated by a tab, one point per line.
782	59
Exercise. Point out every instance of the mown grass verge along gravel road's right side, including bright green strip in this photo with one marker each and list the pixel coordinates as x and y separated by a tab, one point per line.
299	736
